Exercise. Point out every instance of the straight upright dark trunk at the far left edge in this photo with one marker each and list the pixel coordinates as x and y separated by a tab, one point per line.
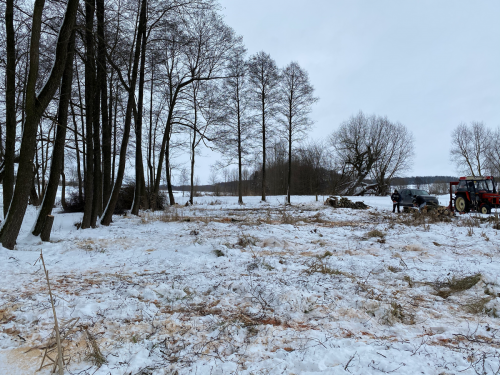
10	108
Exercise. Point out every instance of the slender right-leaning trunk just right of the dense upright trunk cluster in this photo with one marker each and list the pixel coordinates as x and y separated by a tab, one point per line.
110	207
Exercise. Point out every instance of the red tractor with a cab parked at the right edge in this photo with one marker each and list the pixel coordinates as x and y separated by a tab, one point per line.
475	194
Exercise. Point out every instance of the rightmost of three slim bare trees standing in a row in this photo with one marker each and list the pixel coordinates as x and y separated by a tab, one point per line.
295	101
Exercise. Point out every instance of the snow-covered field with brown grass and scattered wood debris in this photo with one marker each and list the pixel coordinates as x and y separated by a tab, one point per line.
219	288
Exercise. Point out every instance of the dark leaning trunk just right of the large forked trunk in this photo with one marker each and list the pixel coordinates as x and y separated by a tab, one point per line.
57	165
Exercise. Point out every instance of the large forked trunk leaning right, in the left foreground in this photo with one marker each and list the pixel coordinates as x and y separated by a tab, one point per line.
35	106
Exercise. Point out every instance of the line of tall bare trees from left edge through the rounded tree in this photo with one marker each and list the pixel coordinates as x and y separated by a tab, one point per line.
102	88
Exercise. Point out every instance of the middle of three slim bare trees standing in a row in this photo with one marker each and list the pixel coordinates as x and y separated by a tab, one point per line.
264	80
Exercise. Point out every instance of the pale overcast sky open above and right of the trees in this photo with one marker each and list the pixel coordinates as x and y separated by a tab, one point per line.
429	64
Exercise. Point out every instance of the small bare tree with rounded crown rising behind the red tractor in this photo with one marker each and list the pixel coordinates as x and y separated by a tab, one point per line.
469	148
